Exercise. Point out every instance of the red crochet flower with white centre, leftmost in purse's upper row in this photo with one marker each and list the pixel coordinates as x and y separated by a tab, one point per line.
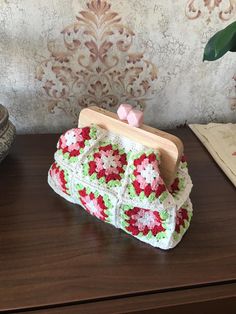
73	140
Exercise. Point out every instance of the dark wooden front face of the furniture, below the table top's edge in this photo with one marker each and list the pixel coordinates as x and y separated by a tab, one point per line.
205	300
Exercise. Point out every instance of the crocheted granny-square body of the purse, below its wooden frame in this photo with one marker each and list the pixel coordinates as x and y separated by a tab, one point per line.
118	181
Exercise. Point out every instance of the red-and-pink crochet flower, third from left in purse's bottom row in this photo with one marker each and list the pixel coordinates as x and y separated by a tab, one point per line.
143	220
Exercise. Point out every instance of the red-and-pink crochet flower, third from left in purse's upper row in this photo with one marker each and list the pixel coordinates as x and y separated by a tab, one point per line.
147	176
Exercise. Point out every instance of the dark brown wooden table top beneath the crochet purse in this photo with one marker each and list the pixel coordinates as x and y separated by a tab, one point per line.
53	253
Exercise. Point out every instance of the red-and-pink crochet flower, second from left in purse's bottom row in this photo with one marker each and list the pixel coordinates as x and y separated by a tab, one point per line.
94	205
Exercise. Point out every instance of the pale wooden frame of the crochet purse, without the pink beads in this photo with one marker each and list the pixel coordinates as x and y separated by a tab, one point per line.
170	146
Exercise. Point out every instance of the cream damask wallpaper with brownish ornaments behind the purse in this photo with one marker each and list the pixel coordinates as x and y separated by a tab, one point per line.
58	56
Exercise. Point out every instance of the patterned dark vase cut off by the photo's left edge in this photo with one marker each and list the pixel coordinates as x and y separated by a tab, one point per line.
7	133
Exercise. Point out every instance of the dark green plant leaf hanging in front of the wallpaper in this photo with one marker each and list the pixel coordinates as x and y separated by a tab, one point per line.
222	42
